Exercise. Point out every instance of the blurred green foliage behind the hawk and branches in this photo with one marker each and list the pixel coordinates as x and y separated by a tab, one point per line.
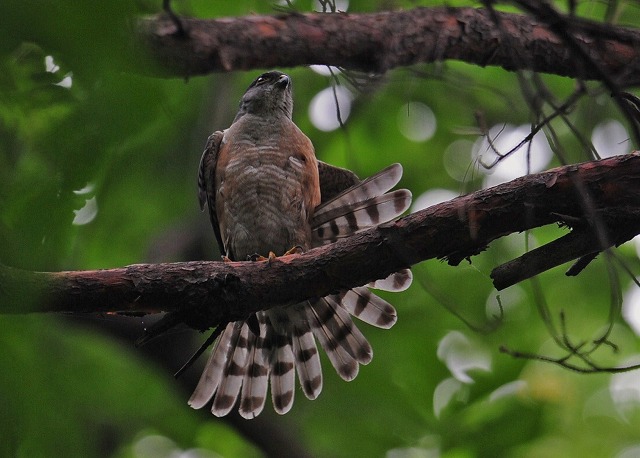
101	172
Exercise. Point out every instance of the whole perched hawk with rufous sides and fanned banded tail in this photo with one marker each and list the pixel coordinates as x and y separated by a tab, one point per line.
268	195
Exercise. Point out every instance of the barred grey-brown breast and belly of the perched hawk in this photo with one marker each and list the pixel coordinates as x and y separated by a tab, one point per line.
261	200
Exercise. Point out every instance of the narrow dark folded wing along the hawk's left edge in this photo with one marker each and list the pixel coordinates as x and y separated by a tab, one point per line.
206	182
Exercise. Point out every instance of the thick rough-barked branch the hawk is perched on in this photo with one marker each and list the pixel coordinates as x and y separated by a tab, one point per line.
455	230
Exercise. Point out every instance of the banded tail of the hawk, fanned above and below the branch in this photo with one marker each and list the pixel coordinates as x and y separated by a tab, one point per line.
242	364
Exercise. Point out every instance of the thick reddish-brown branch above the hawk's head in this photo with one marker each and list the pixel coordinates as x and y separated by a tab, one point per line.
382	41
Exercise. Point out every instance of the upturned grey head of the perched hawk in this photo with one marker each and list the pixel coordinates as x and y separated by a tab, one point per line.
268	95
